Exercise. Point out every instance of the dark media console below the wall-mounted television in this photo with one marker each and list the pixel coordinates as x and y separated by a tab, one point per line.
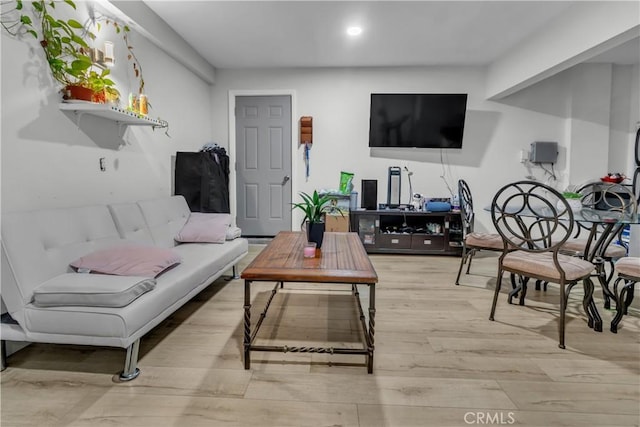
408	232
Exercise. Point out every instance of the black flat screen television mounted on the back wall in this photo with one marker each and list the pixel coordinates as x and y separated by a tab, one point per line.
427	120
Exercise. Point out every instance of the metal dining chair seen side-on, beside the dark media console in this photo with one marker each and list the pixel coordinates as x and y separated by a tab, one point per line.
473	242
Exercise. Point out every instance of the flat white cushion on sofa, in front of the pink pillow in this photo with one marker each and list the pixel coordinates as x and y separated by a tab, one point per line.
91	290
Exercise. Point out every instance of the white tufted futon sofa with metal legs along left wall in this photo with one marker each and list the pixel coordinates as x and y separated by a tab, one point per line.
38	247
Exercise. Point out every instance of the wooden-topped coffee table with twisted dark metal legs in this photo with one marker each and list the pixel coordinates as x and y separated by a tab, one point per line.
342	259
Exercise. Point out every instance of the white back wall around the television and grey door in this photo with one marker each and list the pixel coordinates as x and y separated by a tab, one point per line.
338	100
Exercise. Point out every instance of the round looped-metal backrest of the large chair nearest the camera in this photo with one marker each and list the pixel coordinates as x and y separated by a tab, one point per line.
531	216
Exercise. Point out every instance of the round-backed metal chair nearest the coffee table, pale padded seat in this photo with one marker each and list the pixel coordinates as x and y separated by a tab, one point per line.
536	220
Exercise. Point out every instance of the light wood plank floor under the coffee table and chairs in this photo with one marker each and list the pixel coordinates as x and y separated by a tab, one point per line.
439	361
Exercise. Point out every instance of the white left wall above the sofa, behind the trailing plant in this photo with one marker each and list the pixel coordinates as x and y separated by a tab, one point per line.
47	161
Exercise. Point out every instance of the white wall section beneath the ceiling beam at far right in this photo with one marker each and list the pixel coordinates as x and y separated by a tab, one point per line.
601	107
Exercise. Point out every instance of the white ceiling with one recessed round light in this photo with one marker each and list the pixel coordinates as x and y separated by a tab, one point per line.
264	34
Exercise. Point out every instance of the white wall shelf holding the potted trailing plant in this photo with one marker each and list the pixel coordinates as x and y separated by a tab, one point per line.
119	115
